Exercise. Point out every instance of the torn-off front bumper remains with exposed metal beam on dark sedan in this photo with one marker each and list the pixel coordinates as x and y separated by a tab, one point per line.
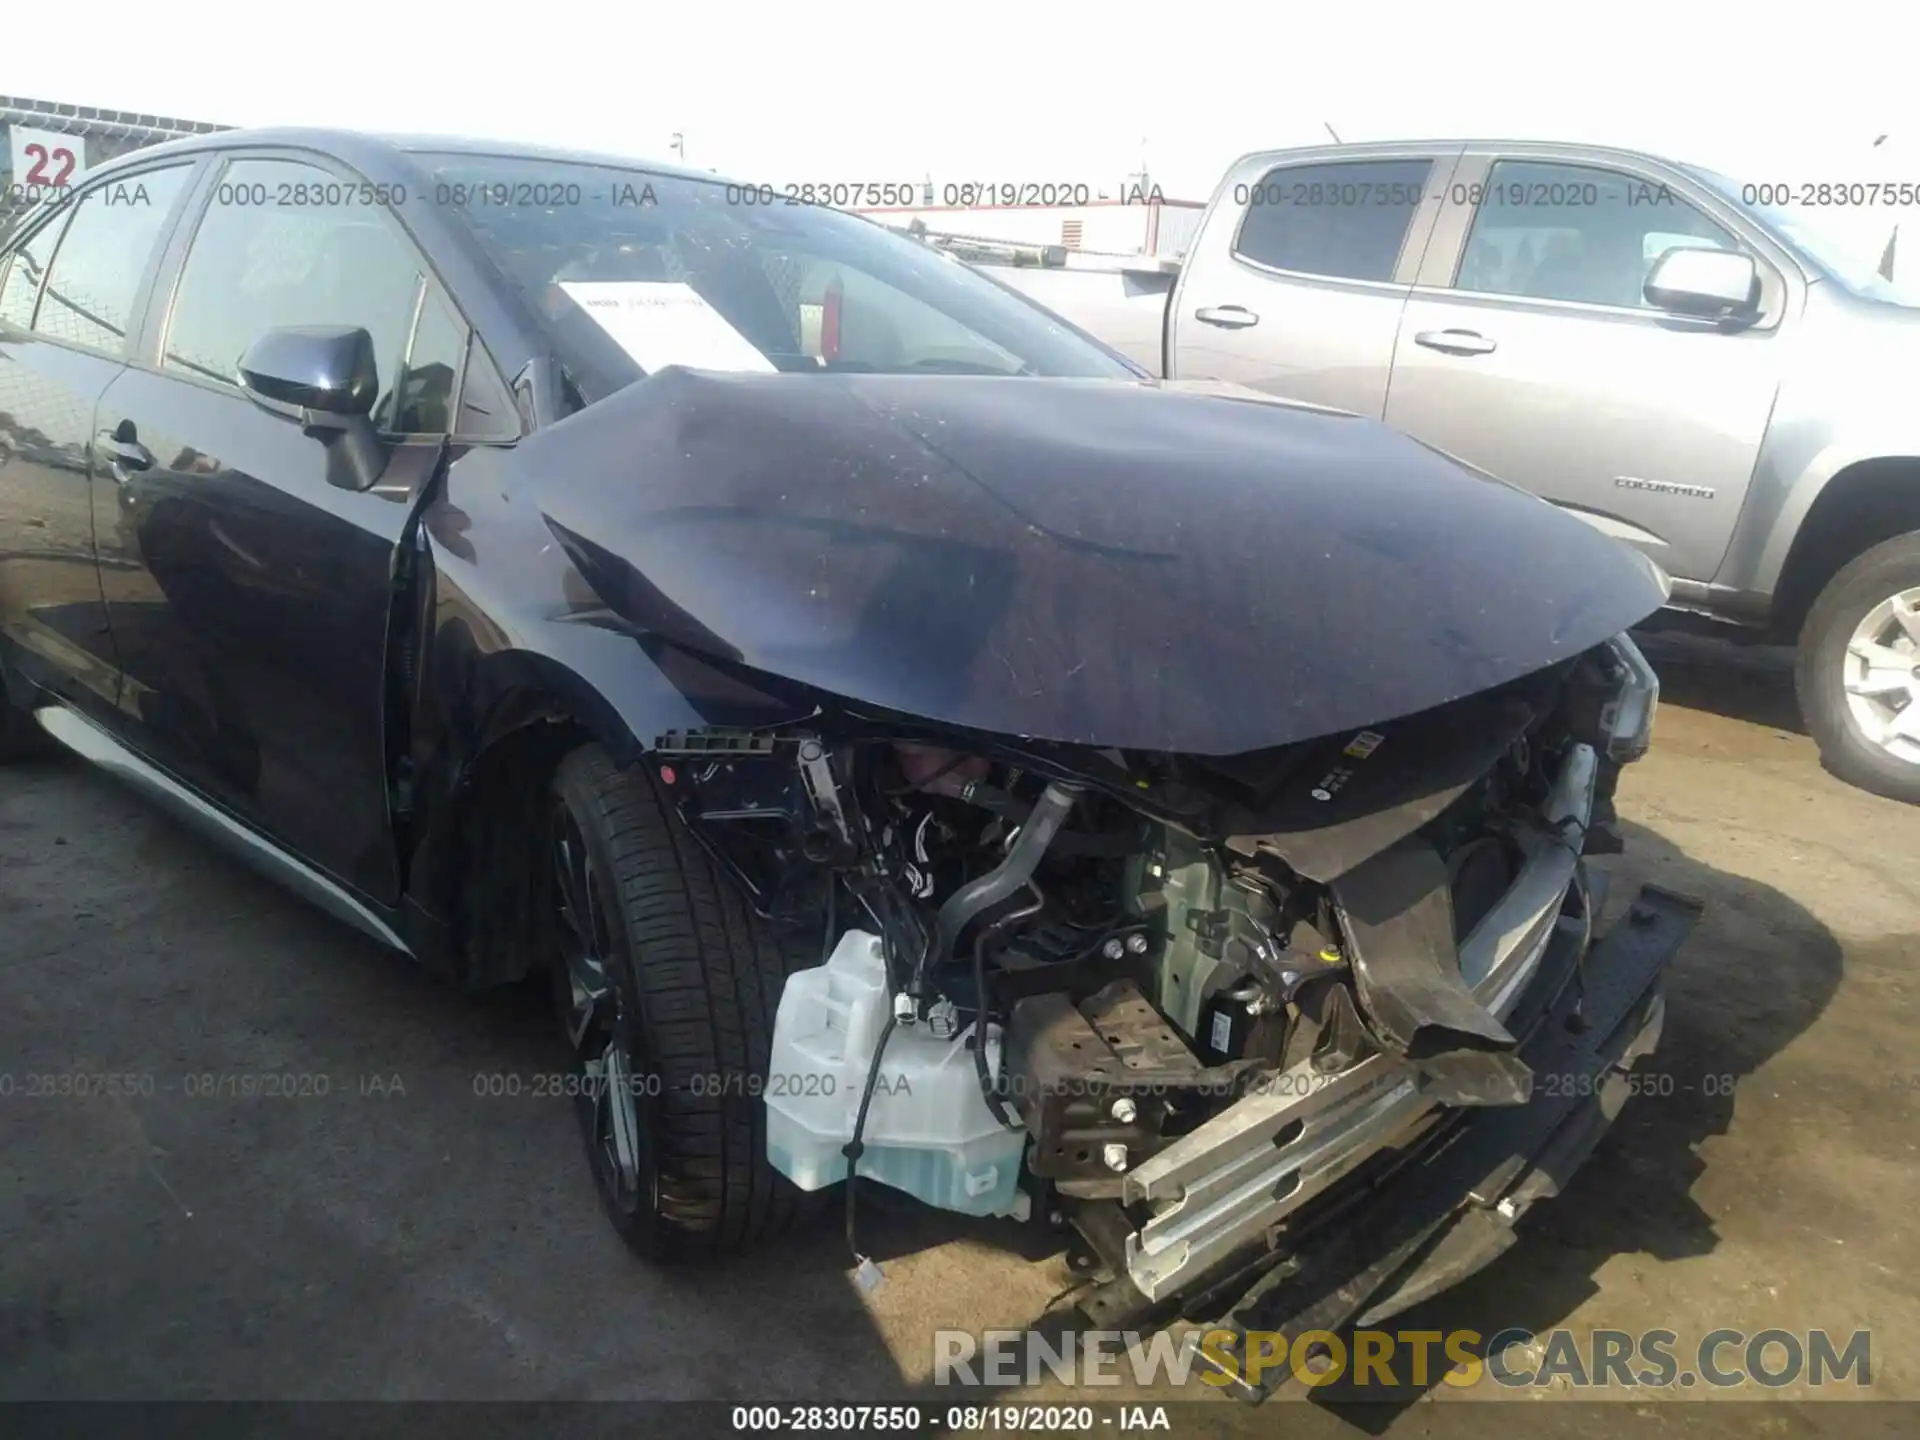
1247	1216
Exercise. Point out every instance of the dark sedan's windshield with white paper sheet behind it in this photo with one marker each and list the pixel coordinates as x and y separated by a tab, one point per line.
638	270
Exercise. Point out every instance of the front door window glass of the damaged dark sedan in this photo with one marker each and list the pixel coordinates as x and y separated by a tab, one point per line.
256	266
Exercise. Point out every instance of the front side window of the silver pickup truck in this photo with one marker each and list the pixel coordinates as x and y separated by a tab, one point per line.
1577	233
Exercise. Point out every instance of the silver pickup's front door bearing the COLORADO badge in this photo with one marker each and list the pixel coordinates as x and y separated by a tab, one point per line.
1529	350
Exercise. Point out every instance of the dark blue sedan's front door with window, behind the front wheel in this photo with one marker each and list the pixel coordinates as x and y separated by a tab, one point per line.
249	596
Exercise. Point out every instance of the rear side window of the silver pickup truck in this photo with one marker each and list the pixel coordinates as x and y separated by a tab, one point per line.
1345	222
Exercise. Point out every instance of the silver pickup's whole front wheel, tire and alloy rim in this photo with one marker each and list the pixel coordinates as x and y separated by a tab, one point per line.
1860	671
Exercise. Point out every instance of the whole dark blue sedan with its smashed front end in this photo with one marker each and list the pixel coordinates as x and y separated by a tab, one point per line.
911	740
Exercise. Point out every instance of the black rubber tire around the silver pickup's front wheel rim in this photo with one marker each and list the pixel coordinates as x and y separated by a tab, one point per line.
1819	669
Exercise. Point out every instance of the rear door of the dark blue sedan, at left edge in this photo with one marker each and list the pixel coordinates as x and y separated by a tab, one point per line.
70	295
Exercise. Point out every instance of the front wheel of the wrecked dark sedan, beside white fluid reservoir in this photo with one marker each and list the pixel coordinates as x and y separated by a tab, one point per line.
667	986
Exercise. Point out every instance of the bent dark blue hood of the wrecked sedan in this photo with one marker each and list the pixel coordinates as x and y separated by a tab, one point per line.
1086	562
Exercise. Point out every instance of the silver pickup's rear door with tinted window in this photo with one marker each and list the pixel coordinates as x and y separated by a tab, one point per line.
1297	283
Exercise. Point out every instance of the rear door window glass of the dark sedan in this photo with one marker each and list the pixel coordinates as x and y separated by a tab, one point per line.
103	258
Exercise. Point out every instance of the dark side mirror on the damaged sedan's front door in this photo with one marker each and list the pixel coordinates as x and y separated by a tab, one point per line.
327	379
